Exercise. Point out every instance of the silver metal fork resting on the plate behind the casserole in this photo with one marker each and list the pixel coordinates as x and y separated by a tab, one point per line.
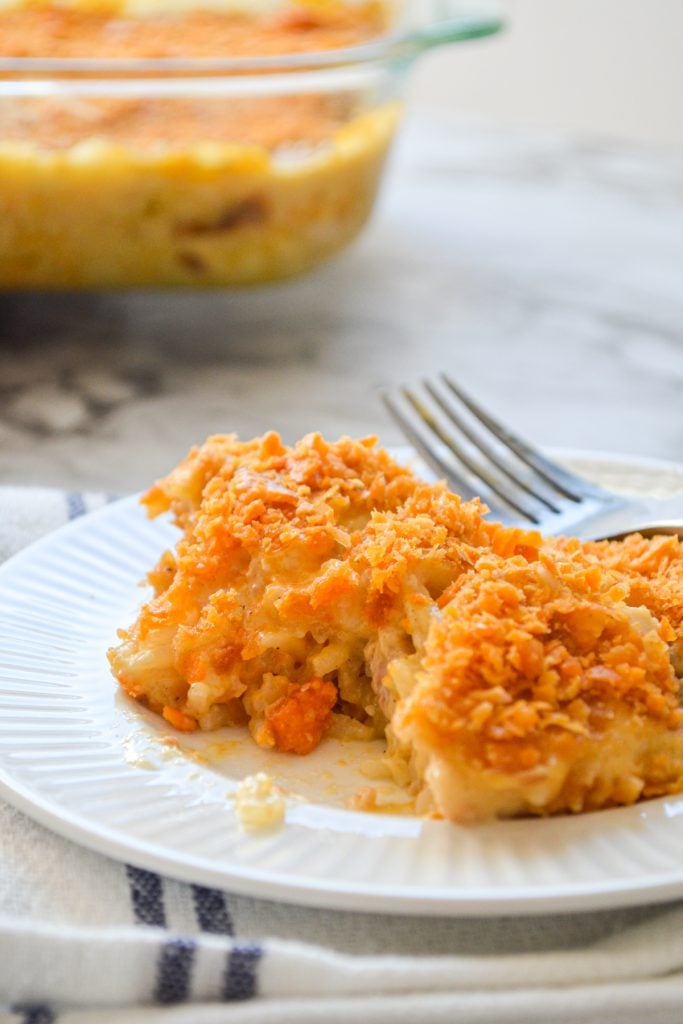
479	456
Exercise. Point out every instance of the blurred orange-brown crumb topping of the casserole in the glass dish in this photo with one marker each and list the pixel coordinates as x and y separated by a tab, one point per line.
109	32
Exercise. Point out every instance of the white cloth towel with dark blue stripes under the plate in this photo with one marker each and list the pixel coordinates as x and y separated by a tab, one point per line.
88	941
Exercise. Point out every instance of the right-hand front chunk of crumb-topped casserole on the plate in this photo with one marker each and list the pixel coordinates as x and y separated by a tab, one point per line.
532	666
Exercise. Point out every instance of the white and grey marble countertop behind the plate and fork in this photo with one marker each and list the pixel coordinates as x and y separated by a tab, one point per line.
546	276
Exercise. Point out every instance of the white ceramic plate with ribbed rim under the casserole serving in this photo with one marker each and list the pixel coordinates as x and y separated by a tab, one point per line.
79	758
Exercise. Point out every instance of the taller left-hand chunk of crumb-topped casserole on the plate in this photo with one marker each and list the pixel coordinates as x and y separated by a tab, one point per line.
274	583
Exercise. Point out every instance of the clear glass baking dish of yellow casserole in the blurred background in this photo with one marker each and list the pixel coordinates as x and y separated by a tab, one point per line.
250	169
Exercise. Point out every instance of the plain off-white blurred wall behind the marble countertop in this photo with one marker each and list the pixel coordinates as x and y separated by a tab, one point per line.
604	69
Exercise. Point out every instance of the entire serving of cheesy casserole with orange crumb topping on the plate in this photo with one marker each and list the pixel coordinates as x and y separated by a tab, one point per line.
519	675
